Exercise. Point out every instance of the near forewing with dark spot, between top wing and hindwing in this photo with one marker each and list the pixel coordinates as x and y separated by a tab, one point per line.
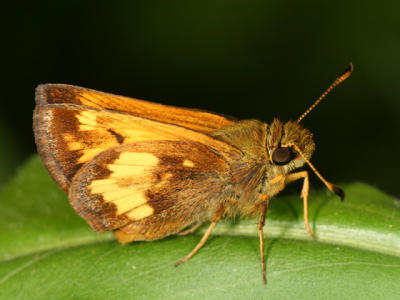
68	136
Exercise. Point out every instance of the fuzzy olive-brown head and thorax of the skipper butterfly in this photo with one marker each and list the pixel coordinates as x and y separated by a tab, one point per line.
268	156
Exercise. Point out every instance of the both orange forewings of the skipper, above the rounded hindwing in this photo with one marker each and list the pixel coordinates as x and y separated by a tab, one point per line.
72	125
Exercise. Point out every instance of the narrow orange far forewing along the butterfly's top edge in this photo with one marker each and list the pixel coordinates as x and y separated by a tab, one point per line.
190	118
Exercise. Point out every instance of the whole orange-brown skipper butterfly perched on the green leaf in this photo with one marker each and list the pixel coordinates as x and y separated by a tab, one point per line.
146	170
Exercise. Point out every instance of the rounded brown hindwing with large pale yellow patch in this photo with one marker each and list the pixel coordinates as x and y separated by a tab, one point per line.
171	183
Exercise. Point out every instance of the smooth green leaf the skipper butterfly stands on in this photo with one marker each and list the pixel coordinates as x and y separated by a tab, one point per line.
47	251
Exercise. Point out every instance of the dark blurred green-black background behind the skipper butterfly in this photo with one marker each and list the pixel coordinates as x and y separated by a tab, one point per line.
248	59
